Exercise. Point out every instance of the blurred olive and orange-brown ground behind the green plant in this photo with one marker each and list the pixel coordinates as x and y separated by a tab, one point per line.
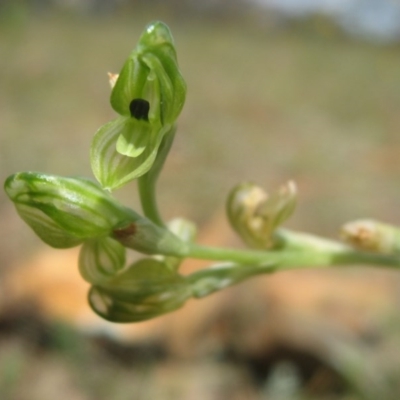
277	89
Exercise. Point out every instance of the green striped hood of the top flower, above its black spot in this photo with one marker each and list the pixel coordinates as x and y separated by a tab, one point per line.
151	73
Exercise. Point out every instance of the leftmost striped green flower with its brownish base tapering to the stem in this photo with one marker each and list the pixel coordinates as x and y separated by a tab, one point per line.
65	212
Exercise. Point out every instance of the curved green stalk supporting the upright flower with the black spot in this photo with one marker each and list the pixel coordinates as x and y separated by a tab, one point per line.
147	182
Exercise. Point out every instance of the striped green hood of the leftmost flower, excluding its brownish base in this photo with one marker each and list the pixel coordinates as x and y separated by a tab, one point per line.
64	212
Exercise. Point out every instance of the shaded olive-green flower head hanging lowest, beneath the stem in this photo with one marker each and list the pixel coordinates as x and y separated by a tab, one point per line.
145	290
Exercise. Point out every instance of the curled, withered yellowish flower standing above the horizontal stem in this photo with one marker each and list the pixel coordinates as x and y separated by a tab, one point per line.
255	215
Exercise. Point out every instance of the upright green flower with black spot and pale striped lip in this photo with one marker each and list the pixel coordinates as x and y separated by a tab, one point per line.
148	95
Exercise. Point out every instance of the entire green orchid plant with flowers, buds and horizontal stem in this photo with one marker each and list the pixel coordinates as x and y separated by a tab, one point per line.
148	96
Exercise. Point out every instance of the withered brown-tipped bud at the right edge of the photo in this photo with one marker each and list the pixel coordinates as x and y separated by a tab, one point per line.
370	235
